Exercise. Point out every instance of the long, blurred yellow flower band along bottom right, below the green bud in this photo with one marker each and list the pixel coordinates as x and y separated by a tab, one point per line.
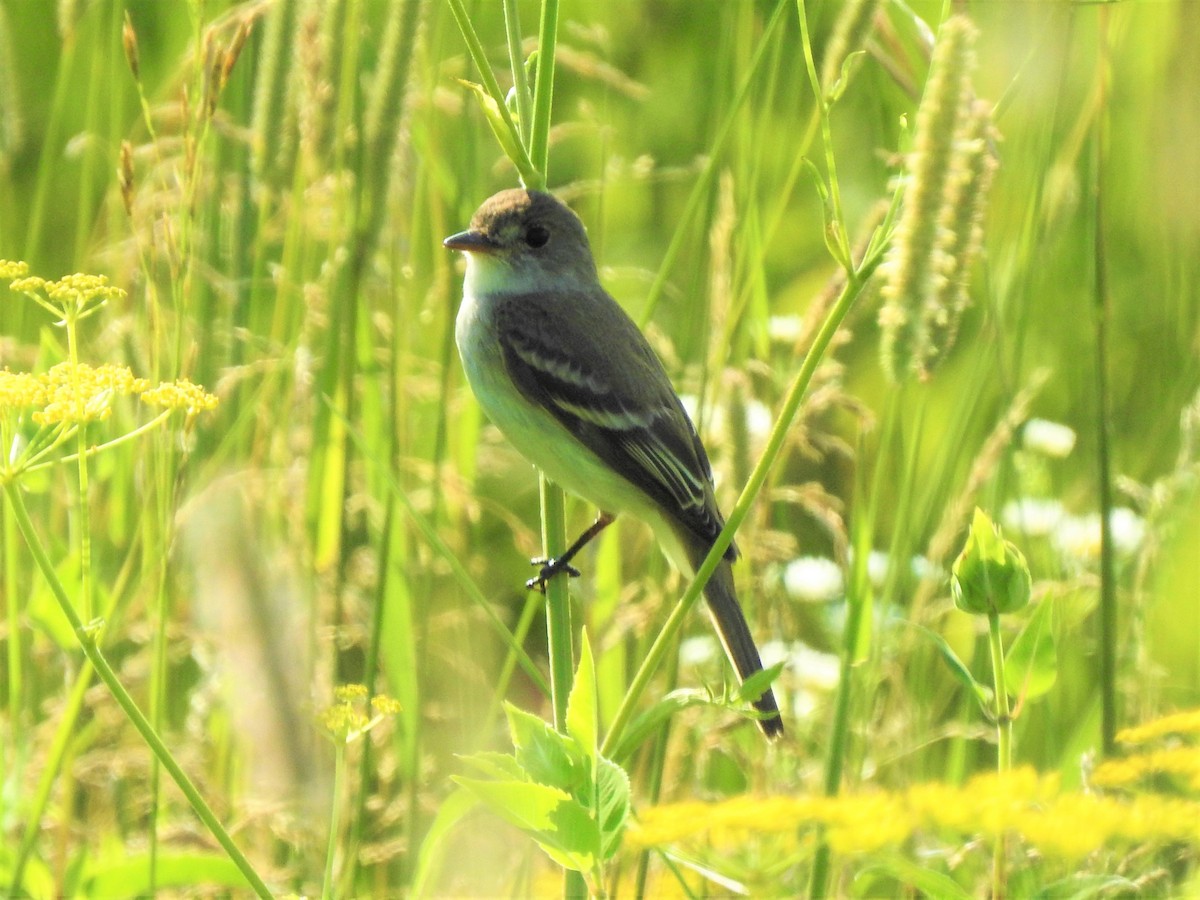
1061	824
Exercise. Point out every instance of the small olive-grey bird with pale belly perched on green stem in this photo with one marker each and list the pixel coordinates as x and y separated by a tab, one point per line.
567	376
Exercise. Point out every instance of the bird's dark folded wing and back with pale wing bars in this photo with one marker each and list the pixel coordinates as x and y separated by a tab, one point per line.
621	407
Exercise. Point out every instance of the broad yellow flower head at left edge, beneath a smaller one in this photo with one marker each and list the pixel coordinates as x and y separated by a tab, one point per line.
86	394
